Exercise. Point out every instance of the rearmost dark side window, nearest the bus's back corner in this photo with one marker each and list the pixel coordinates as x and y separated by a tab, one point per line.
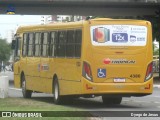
78	43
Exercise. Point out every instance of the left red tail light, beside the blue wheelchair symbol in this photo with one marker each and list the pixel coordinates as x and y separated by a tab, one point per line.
87	71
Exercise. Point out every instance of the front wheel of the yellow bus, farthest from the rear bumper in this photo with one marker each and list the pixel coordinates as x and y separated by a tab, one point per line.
26	93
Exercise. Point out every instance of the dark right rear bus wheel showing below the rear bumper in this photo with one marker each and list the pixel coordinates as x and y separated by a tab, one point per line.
111	100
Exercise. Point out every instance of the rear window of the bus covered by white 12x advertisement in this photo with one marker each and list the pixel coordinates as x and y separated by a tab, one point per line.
118	35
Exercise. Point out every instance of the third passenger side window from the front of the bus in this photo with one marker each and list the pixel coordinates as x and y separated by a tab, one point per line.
37	44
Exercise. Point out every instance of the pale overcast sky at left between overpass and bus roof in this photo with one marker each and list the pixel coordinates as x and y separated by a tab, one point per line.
11	22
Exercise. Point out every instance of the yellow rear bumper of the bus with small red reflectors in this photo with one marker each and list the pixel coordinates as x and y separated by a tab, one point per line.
120	89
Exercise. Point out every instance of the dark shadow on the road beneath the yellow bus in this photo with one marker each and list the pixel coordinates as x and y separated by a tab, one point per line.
87	104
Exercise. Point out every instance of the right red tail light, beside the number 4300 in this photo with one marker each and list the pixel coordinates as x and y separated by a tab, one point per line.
149	72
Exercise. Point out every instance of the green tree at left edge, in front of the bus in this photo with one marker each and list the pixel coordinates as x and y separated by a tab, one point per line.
5	50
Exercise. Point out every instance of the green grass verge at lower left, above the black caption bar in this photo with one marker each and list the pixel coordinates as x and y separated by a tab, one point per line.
18	104
